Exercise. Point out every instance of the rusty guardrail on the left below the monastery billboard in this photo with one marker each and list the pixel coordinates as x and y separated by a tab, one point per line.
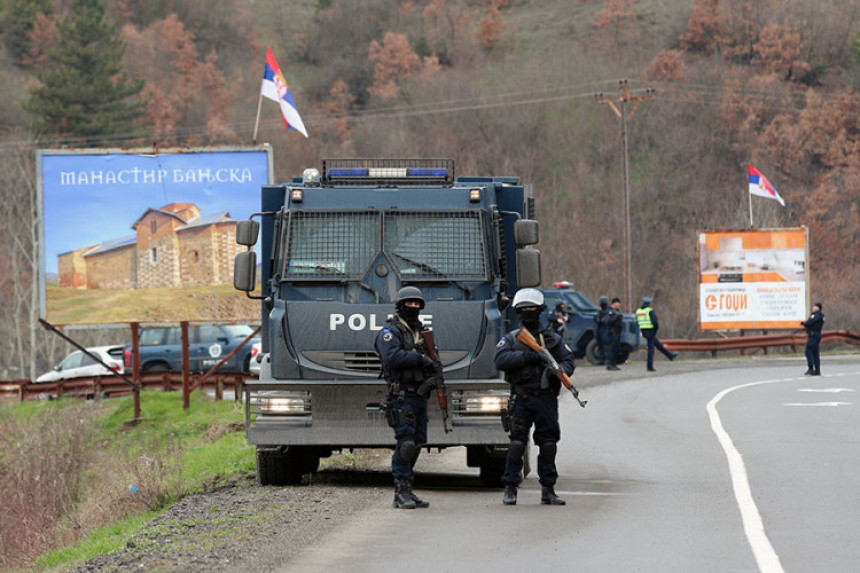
98	387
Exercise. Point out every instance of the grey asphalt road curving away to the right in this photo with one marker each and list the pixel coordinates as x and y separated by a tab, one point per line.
689	469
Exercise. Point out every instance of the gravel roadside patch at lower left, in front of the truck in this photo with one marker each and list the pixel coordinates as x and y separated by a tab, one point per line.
224	528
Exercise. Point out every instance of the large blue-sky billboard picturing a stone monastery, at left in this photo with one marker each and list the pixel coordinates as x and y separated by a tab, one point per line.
145	235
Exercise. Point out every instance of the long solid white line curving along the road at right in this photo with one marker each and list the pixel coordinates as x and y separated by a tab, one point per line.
763	551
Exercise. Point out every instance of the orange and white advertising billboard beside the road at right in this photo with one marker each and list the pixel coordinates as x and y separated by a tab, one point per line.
753	279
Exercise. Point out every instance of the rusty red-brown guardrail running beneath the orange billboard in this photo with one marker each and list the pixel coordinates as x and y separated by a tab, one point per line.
759	342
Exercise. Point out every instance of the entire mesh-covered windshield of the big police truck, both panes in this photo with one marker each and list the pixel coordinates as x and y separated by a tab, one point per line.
341	245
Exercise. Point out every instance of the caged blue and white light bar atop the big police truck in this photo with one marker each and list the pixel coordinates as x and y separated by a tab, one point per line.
399	172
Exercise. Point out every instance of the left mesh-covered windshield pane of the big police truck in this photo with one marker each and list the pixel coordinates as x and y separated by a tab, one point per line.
331	244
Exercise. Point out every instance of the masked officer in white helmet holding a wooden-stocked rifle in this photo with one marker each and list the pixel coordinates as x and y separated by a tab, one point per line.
534	397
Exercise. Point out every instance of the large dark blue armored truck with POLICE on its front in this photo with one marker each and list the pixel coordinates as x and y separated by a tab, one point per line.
337	245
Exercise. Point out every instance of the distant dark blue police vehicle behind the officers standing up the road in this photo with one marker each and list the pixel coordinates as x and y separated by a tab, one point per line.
579	329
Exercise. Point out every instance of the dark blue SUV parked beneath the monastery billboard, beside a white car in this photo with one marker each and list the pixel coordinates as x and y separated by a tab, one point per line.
161	348
